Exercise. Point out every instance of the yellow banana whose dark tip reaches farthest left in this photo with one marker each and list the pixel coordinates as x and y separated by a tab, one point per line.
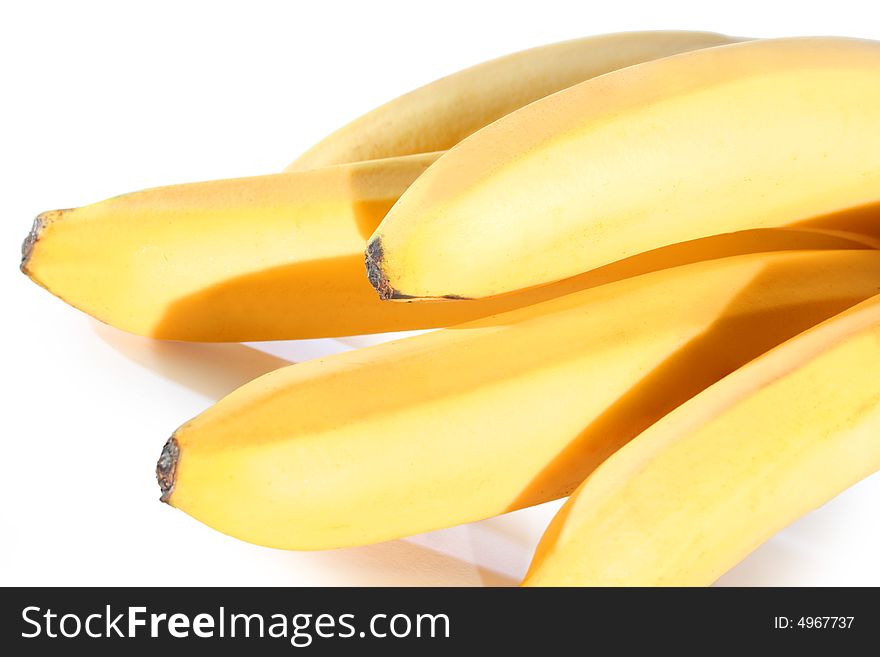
274	257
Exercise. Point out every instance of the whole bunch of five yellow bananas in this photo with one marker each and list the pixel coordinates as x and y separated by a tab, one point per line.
655	258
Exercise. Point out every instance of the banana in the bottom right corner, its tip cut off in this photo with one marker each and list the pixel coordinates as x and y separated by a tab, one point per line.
695	493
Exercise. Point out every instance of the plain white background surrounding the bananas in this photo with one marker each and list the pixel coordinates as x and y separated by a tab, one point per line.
105	98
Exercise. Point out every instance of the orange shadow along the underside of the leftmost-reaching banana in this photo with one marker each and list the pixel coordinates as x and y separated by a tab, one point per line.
332	297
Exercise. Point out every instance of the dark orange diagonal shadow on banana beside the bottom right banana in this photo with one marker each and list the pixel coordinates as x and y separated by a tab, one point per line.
738	336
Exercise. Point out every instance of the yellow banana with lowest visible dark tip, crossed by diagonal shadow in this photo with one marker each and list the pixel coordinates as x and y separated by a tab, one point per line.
490	416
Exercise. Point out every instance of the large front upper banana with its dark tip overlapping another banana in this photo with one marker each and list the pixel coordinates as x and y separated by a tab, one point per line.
751	135
